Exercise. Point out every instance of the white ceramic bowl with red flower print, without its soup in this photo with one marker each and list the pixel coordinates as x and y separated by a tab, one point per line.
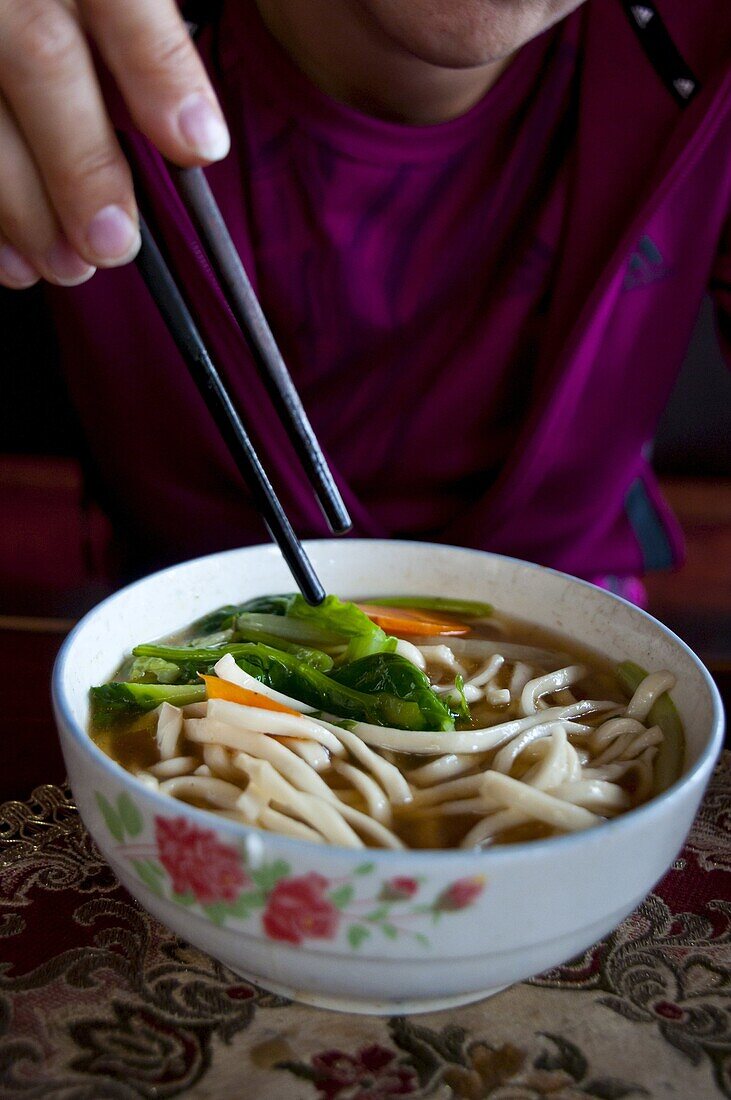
378	931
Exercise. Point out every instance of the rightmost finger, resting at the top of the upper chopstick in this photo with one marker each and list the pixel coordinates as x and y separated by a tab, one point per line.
161	75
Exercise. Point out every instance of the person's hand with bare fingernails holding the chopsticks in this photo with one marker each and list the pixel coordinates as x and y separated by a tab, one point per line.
67	200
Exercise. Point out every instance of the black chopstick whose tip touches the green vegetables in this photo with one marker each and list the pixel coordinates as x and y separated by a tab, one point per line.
185	333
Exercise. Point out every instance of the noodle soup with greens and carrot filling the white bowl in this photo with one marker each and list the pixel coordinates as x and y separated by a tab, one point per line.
401	722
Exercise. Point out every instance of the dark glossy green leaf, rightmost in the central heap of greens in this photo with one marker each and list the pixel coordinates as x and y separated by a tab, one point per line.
391	675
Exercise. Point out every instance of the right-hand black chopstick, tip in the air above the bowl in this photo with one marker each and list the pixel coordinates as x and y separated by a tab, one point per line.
204	211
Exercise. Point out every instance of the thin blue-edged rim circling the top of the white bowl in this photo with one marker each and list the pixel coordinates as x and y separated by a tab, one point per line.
249	834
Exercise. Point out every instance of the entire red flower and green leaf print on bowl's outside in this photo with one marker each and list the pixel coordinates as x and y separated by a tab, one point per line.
194	868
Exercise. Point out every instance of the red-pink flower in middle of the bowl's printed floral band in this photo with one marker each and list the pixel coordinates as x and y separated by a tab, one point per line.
297	910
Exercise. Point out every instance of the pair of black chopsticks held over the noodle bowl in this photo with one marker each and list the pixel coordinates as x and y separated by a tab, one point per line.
204	211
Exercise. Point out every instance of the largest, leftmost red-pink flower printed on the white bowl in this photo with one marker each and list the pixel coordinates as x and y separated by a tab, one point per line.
198	863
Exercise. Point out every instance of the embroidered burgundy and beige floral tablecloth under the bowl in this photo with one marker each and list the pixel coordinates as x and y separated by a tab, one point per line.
98	1000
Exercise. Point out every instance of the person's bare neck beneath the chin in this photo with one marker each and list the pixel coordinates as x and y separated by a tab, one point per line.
345	52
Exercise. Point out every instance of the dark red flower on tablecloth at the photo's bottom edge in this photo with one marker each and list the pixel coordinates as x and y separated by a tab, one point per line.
372	1074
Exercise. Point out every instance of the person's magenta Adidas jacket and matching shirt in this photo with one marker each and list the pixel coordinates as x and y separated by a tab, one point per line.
484	318
